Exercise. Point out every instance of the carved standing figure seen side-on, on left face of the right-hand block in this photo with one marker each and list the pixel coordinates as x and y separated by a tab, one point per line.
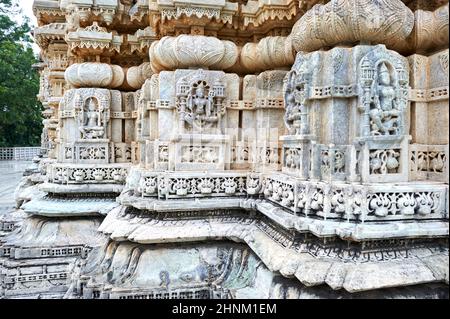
296	116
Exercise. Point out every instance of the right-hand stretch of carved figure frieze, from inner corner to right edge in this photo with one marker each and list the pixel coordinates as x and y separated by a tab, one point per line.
355	203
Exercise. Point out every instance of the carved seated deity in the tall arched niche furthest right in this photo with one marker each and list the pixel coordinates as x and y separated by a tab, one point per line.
385	112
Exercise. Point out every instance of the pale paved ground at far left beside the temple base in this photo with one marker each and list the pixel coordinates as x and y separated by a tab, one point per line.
10	175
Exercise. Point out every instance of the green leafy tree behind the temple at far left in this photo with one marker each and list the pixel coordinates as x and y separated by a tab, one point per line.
20	111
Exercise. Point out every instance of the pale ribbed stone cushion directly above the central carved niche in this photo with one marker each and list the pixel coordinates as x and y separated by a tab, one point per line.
187	51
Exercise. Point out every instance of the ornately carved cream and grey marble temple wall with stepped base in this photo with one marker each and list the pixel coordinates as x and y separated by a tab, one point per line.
268	149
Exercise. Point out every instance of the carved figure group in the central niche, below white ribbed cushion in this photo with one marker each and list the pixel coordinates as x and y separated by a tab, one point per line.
200	105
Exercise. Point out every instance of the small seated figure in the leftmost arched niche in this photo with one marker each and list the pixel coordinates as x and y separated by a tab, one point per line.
91	127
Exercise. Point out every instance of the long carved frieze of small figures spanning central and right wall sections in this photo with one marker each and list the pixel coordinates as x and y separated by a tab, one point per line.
324	199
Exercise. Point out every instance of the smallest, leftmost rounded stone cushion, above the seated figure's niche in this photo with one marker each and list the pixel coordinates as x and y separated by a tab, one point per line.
94	74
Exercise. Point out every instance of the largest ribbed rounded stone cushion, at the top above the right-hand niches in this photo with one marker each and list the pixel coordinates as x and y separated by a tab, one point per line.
348	21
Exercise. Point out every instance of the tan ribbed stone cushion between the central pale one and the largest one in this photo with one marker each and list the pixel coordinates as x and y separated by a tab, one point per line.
269	53
